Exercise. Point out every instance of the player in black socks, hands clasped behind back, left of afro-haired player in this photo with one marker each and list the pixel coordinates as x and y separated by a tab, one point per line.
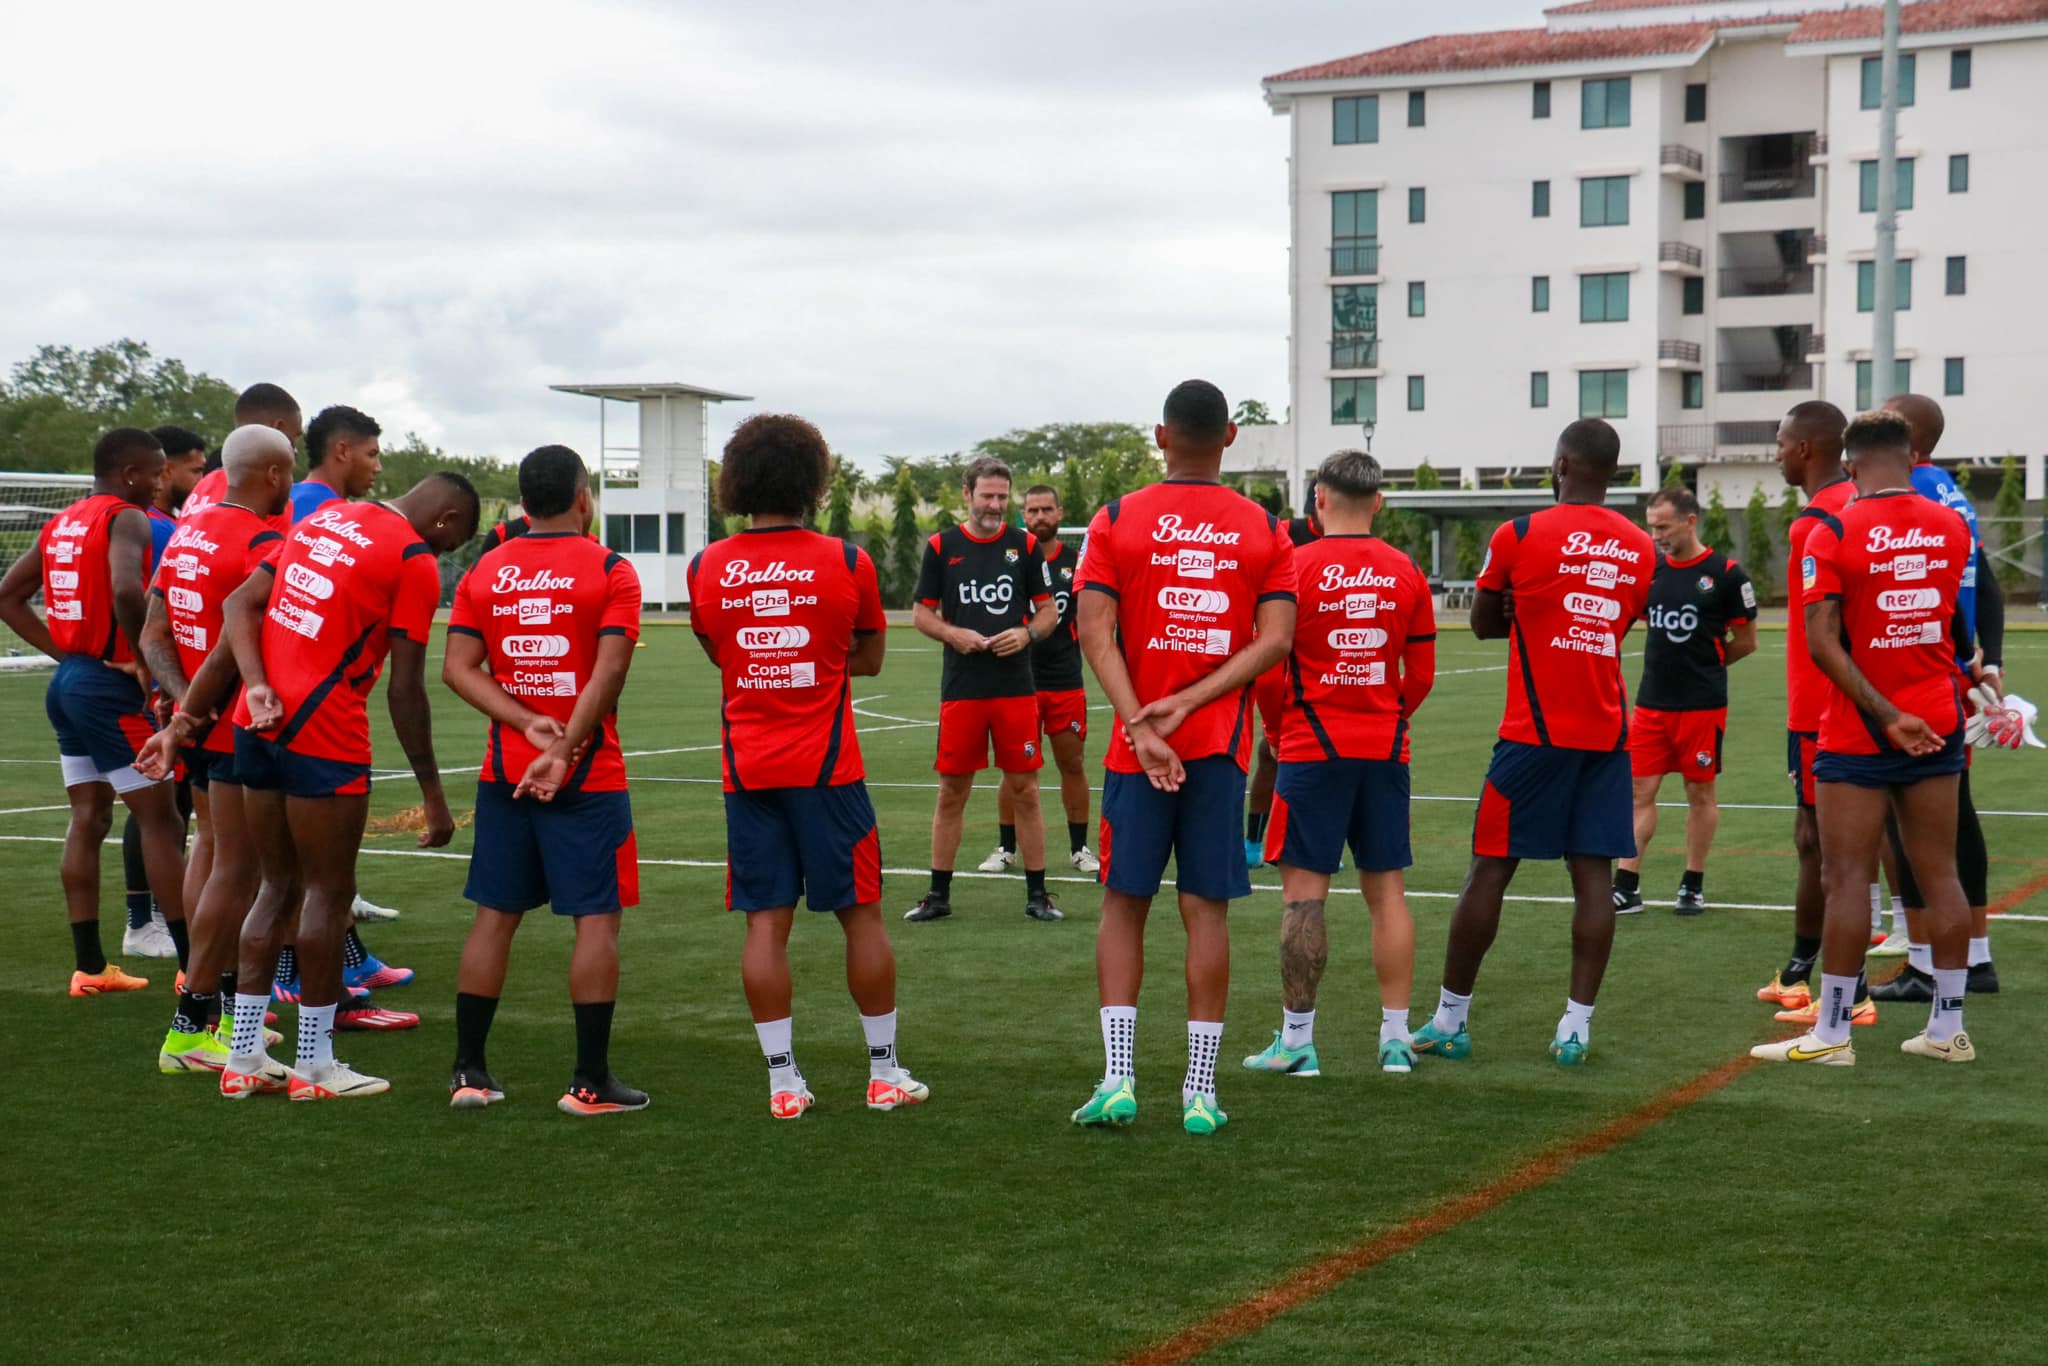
540	642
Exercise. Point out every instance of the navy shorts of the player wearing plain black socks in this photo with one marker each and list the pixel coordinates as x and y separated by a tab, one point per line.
577	855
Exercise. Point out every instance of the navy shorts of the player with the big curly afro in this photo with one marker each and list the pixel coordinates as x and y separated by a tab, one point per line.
814	843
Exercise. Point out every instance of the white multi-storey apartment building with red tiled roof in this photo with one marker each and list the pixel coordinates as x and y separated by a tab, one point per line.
1662	212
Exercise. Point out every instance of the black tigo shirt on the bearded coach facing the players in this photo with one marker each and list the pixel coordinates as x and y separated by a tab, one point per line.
986	587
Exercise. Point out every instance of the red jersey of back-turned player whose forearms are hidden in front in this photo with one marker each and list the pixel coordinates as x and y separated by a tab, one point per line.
1580	577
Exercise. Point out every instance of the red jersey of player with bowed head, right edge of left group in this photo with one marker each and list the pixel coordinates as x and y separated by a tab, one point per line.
349	579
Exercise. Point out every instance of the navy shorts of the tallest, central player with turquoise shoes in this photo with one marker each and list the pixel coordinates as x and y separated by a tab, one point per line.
1201	828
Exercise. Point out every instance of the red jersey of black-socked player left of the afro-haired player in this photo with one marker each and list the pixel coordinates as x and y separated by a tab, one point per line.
542	605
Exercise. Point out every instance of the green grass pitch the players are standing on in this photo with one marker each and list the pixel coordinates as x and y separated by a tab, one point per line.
1893	1211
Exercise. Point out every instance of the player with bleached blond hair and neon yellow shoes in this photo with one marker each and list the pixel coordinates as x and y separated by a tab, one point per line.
212	554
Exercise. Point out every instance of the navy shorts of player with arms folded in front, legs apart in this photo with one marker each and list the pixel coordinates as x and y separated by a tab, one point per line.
1543	802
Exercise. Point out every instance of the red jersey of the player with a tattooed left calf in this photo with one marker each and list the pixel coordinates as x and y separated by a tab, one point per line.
1365	652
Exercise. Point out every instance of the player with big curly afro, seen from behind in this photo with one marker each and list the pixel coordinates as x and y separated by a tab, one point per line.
792	617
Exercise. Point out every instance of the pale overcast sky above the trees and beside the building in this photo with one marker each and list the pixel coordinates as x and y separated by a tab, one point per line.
919	224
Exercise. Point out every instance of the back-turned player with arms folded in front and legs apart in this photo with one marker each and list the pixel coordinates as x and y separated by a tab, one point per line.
1564	587
